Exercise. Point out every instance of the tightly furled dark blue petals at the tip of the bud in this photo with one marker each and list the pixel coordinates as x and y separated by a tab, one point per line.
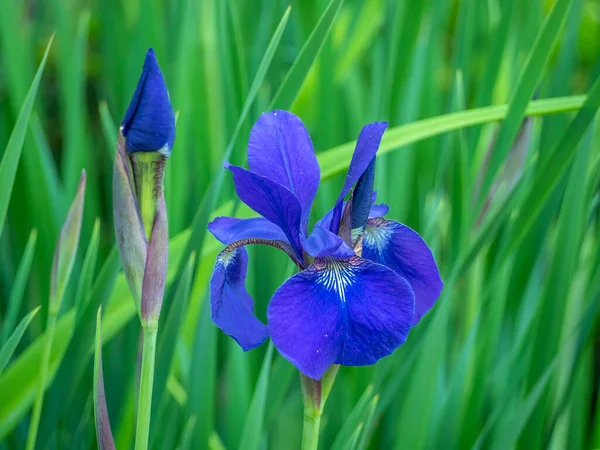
149	123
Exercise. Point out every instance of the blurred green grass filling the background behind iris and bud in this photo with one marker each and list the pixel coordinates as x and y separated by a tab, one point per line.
508	357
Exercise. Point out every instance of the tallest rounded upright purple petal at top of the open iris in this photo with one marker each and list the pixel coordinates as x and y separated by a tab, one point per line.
280	149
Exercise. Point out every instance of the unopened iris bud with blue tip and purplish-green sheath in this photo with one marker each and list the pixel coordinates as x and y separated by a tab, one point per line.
147	135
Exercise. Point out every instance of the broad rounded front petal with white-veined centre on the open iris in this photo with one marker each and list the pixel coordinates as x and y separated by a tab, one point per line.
350	312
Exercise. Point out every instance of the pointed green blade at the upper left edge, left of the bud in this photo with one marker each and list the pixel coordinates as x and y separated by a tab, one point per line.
12	153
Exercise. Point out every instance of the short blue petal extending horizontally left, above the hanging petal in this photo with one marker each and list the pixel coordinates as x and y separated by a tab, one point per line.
229	229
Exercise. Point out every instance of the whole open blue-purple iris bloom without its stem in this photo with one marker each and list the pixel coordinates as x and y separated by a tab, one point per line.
364	281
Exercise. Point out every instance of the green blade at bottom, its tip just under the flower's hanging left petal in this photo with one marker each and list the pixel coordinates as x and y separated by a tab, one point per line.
253	428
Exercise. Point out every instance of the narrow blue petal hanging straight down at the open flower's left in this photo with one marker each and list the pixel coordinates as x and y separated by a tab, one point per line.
230	304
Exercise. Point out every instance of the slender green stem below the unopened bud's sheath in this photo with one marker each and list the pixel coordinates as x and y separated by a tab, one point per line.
146	382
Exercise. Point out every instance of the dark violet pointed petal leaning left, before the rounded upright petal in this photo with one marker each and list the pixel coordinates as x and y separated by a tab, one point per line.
272	201
